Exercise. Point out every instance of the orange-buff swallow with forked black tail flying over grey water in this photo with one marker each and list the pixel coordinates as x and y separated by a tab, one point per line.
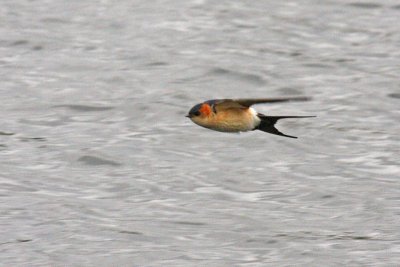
237	115
